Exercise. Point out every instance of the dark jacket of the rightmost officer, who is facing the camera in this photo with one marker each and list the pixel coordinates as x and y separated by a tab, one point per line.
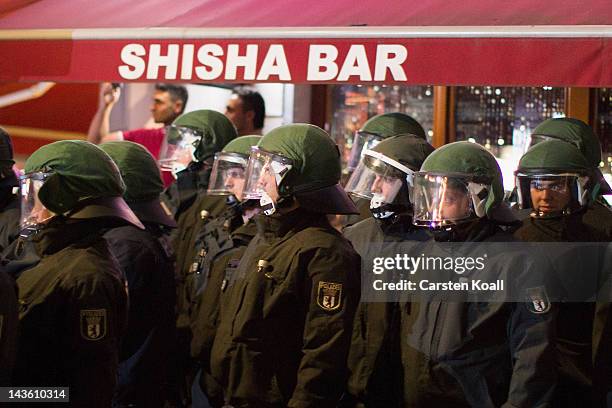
583	328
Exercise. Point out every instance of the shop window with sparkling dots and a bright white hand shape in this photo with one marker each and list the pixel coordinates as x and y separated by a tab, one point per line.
502	118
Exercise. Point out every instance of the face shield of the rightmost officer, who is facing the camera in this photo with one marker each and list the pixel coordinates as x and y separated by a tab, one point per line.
551	195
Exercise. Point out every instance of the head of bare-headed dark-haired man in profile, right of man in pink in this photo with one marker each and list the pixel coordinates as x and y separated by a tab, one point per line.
247	111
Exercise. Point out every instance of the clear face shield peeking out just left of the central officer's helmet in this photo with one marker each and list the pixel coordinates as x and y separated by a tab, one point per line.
228	175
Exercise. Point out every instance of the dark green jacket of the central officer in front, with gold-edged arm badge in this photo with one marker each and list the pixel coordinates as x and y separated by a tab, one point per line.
285	340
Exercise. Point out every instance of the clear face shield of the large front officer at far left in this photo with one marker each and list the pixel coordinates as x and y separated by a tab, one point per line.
33	212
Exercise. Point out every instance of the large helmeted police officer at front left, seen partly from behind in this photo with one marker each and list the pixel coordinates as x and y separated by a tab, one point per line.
73	304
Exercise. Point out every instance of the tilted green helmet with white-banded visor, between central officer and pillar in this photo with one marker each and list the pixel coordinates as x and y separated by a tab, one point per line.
385	174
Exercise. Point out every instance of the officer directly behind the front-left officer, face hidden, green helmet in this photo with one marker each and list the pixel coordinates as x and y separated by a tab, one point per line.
147	261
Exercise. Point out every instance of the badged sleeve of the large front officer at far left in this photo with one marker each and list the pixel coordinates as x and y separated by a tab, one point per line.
96	314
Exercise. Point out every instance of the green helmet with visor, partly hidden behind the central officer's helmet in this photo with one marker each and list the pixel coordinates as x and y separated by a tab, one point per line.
229	170
